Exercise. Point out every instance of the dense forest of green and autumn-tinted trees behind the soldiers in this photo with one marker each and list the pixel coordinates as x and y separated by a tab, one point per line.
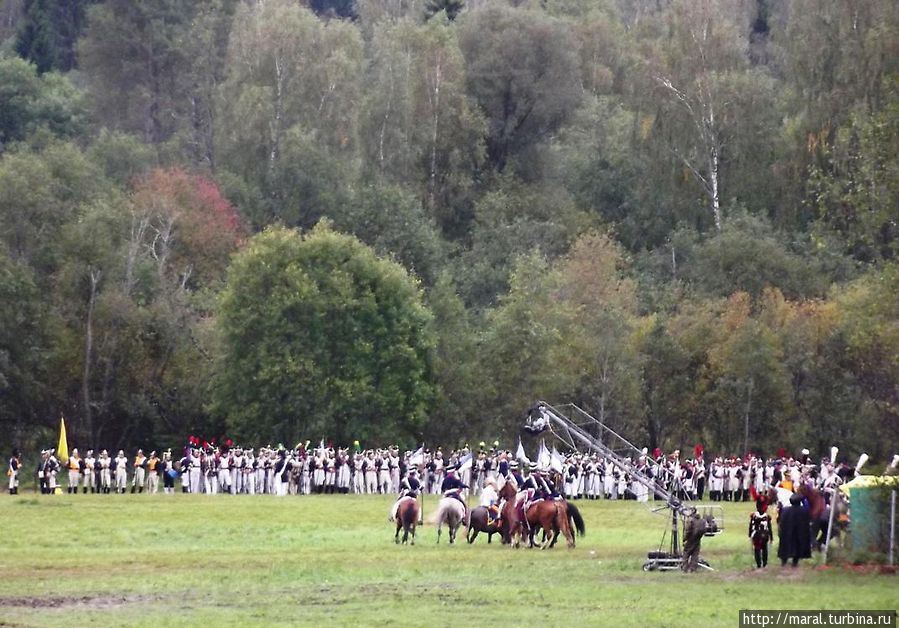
410	220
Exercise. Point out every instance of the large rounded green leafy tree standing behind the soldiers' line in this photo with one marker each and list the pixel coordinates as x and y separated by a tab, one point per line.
322	337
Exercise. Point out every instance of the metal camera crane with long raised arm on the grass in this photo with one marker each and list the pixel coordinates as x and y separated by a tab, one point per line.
579	430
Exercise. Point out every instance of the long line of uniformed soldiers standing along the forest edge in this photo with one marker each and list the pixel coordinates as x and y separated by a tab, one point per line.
325	469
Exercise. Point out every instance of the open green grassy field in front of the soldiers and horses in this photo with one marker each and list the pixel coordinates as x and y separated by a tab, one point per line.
330	560
